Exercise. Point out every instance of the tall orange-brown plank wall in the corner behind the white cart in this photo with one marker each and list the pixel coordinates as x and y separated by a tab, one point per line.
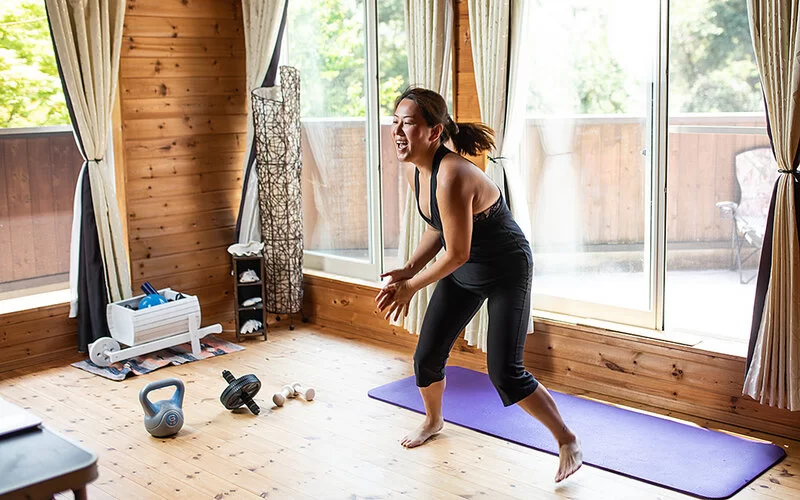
182	99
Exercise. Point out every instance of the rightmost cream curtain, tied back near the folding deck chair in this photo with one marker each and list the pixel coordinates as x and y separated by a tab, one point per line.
773	375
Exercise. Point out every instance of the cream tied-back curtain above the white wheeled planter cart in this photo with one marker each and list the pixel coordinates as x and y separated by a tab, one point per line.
88	36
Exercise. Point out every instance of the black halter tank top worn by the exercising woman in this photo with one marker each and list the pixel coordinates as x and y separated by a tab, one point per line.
497	240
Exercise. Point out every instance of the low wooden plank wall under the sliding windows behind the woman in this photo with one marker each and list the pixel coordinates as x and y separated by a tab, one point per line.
596	363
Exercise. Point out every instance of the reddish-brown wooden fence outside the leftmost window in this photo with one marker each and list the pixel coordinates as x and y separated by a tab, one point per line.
38	173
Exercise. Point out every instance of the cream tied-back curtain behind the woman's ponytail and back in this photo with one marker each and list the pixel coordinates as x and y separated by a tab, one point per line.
497	35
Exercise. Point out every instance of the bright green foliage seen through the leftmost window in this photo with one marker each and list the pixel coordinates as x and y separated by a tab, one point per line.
30	89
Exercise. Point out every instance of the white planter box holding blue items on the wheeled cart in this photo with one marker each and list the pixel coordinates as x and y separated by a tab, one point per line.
133	326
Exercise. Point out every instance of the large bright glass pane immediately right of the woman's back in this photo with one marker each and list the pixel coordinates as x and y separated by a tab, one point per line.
585	150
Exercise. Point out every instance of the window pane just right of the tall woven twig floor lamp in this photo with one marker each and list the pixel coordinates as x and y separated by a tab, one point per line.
325	42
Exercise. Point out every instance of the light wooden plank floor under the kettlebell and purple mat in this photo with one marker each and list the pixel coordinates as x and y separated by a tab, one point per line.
342	445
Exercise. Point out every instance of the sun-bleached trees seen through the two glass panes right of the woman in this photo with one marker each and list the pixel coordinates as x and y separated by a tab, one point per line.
712	68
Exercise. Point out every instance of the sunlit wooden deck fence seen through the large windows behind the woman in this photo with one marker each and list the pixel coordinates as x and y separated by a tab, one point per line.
608	173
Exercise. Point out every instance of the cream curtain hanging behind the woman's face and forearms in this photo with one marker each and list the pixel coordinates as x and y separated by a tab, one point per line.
429	24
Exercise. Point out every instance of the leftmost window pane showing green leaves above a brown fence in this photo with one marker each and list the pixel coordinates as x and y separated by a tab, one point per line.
39	160
